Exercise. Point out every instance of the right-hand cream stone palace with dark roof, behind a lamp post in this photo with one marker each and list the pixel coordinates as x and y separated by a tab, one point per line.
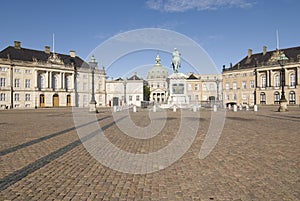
256	78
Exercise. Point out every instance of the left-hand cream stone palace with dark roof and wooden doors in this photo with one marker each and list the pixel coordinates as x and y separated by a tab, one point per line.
33	78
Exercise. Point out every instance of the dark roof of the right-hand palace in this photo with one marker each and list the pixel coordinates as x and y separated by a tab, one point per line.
267	59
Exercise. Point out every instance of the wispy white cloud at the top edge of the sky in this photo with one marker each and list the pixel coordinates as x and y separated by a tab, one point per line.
184	5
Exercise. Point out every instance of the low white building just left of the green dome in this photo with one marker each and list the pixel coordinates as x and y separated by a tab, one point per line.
129	91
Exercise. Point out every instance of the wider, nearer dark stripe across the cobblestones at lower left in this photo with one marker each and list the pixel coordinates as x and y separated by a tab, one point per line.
14	177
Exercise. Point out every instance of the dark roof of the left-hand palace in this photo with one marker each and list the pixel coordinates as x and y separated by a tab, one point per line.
24	54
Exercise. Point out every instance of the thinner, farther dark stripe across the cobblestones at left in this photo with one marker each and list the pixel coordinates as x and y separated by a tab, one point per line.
35	141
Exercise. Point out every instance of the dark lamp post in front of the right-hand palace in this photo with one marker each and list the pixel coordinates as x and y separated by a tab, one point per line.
283	102
